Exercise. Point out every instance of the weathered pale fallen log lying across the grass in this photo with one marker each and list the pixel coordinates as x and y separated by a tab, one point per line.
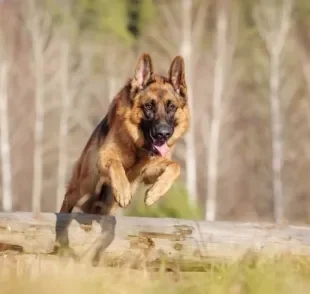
174	239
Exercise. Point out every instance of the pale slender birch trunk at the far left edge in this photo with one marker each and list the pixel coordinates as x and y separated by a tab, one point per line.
6	168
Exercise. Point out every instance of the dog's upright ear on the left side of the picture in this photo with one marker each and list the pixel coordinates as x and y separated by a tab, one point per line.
143	71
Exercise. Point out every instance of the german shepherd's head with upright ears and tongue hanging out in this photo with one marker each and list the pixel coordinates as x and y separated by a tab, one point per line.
159	109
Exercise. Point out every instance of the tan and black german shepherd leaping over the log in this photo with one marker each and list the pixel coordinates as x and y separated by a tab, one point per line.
133	144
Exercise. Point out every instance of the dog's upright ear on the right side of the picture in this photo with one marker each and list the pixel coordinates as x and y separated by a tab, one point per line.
177	75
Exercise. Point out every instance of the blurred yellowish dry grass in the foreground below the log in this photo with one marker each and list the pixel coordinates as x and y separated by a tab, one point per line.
38	275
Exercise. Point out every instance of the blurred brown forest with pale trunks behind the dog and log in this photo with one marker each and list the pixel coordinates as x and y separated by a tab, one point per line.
247	154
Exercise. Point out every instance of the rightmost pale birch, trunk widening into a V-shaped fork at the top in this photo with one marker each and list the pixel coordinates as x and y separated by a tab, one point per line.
273	23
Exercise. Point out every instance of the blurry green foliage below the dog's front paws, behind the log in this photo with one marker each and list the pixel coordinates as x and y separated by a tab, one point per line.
174	204
